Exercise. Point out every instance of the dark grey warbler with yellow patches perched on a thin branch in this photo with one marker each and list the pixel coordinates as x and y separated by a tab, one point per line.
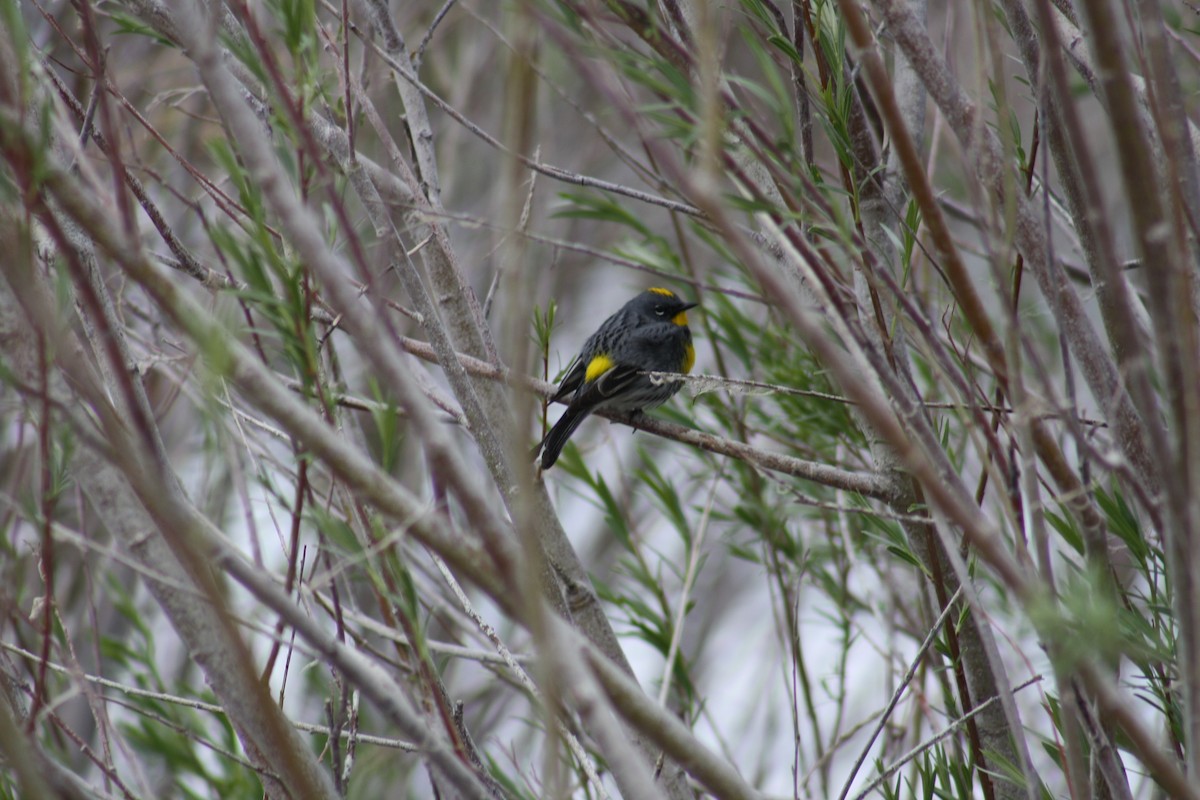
650	334
